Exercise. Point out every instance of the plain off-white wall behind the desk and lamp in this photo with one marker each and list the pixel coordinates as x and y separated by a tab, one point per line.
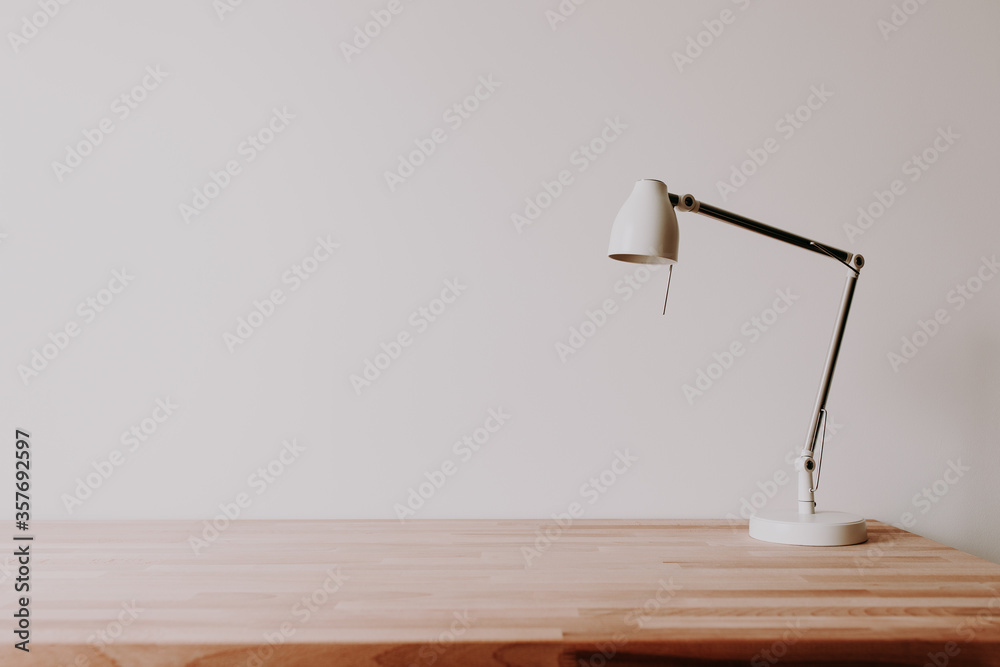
495	346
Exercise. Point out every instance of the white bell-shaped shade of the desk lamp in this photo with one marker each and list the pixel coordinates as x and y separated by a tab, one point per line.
645	231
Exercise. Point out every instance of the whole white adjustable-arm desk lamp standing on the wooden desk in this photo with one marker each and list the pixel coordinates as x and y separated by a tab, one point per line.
645	232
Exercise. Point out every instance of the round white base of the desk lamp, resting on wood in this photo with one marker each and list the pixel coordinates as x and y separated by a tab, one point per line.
822	529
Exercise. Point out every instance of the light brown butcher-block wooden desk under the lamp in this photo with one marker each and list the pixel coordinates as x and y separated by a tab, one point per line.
642	592
